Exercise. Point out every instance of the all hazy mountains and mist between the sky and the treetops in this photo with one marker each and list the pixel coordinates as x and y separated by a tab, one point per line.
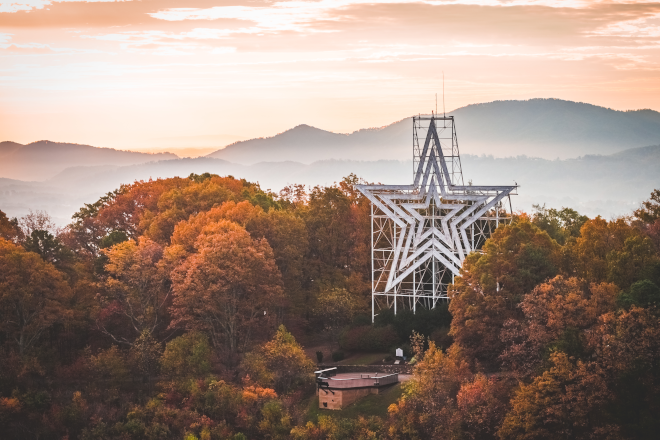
607	166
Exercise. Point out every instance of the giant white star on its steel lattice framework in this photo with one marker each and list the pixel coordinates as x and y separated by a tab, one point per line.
421	233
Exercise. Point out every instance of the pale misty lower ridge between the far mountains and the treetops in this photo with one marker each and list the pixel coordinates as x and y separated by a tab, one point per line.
595	185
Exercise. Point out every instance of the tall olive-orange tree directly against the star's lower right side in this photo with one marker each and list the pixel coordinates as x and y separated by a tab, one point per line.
514	260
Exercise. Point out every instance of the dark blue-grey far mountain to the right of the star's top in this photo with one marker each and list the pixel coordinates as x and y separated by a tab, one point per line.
552	128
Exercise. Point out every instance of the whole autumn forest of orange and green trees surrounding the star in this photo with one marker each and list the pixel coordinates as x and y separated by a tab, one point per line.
181	308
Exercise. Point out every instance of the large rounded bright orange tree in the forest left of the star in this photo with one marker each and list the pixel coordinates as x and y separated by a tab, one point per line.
228	288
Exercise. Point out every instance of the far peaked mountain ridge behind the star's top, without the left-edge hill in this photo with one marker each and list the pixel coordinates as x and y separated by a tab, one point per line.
545	128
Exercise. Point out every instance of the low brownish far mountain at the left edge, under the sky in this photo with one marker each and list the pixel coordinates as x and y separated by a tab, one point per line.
44	159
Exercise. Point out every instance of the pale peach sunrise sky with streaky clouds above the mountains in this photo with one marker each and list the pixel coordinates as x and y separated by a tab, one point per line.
199	73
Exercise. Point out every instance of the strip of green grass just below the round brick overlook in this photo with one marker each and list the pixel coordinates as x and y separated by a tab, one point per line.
371	405
